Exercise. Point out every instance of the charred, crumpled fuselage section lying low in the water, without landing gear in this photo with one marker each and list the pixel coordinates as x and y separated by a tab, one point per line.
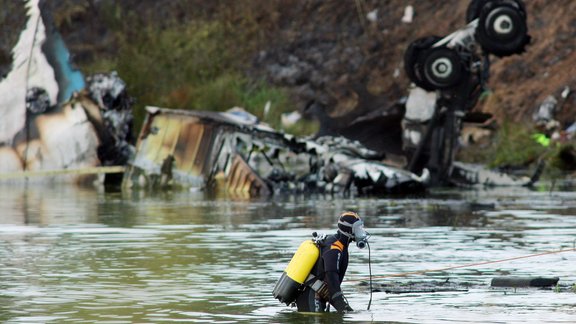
222	151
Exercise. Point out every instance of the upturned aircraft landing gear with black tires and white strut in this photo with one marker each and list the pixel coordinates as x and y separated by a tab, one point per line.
449	75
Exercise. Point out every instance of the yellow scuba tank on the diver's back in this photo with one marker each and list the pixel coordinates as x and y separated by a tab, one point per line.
295	274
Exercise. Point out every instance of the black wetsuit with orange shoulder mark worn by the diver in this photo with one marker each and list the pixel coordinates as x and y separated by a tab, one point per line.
331	268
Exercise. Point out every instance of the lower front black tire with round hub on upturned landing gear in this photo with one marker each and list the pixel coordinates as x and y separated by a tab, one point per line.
441	68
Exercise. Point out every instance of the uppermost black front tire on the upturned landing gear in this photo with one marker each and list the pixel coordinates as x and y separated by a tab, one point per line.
502	29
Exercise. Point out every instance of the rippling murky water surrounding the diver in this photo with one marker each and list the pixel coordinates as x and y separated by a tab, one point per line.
82	255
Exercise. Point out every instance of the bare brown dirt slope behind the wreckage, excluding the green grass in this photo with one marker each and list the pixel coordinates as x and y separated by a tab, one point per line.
343	58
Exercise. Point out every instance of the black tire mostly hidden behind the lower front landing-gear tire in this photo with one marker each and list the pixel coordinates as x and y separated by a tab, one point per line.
412	59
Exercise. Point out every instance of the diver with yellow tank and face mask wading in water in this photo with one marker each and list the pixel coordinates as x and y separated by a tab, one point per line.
327	257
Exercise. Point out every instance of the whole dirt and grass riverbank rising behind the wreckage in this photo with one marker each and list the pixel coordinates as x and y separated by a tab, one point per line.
340	60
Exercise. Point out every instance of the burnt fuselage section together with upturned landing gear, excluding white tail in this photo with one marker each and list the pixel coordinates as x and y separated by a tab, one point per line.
211	150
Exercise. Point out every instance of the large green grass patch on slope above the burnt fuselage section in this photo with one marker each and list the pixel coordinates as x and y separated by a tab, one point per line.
196	65
